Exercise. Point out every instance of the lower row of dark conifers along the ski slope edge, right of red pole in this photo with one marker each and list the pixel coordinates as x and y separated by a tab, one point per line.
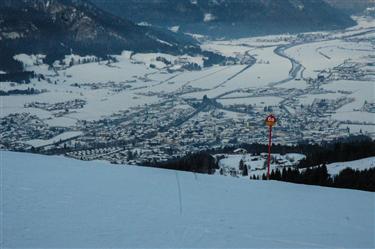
347	178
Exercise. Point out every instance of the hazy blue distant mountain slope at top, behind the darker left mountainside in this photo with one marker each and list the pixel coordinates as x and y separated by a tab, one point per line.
232	18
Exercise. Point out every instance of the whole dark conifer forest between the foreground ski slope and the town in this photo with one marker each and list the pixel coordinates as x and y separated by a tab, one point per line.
307	172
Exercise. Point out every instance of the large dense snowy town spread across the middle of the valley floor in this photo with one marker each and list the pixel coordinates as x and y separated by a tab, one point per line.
173	128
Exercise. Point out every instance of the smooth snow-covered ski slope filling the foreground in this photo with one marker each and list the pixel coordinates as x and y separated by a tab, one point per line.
55	202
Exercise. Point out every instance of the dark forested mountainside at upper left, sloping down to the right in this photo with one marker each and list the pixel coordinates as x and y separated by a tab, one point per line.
59	27
